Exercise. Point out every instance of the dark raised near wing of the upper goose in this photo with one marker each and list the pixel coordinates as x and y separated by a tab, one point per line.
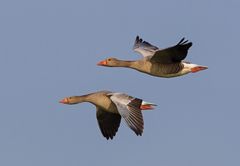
172	54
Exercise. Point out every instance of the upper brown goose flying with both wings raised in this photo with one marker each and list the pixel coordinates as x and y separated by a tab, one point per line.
157	62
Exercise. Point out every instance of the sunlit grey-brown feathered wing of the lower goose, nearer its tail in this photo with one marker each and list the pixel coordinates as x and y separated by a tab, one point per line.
129	108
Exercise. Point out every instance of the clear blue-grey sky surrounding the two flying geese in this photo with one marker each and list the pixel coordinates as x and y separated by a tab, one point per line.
49	50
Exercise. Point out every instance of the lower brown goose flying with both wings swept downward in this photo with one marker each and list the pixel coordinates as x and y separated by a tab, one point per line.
110	107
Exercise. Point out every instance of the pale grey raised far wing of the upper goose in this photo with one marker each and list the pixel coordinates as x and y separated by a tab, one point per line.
144	48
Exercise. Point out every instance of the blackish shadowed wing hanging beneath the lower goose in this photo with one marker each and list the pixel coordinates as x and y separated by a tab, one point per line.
108	123
